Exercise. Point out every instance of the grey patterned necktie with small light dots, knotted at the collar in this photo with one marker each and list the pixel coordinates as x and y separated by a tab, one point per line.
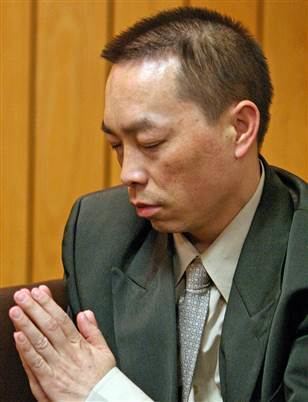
193	311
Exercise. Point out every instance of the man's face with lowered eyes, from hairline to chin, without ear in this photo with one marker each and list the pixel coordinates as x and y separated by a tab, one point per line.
177	167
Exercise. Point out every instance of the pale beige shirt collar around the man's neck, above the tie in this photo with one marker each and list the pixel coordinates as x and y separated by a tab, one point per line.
221	258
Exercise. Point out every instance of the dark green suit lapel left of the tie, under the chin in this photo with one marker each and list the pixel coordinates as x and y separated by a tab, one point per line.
145	321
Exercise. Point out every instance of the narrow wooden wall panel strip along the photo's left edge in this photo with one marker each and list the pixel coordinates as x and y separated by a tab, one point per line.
15	31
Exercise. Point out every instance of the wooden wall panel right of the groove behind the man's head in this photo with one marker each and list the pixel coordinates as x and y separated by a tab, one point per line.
286	46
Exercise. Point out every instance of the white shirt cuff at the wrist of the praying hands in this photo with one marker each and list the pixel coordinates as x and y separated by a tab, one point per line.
116	387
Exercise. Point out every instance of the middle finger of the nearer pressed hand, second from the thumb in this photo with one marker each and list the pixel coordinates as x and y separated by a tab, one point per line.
43	320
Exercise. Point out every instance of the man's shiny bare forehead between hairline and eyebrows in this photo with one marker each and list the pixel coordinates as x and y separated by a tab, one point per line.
145	86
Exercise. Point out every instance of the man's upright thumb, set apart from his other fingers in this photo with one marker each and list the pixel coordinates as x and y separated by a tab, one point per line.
88	328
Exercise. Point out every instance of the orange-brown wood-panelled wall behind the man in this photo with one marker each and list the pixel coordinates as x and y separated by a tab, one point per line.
52	82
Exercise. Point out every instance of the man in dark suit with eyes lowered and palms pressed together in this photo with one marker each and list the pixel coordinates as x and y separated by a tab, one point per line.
187	108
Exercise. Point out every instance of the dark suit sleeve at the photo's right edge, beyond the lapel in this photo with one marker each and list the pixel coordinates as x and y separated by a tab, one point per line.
296	373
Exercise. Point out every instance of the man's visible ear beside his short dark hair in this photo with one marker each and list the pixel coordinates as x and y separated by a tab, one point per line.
245	120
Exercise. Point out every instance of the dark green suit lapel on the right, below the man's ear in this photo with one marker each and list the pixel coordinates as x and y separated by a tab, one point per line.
255	292
